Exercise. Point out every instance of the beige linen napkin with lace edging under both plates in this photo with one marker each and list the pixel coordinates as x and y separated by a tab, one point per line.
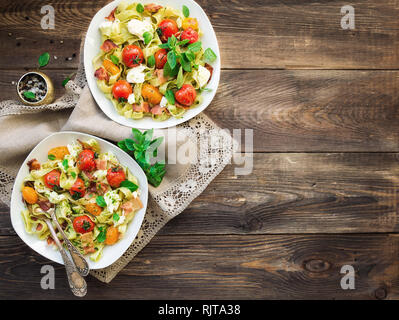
205	148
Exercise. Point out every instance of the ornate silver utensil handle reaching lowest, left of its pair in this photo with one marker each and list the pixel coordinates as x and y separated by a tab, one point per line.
76	282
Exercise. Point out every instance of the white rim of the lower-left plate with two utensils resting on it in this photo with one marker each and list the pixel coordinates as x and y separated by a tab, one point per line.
110	253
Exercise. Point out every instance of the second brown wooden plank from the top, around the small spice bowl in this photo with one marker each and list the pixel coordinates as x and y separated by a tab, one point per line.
297	110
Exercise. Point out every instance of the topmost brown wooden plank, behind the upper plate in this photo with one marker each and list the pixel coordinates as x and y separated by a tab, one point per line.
275	34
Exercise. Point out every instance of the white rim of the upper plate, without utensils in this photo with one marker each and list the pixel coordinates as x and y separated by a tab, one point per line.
92	48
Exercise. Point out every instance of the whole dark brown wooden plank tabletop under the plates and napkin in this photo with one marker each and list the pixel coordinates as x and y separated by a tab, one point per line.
323	104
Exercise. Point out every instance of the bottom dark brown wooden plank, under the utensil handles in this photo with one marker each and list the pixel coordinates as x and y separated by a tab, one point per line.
225	267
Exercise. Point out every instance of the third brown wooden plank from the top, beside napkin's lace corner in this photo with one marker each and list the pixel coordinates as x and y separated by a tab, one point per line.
293	193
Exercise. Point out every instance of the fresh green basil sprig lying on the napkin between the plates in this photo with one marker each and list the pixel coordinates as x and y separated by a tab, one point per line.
142	147
